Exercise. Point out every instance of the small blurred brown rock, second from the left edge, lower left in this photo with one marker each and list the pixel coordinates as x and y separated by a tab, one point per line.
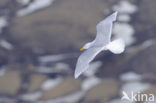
36	80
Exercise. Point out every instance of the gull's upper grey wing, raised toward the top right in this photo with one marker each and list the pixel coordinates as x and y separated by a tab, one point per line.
104	30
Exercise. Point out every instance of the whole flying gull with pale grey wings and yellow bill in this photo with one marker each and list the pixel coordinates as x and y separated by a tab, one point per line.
100	43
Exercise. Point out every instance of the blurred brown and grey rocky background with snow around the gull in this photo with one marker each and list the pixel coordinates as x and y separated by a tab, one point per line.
39	47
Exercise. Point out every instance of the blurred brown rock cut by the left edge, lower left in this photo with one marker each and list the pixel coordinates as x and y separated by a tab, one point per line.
10	83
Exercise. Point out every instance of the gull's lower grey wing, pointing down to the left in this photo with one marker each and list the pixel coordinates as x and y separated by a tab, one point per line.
85	58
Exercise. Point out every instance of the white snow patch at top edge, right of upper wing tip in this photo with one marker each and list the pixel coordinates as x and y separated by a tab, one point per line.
125	7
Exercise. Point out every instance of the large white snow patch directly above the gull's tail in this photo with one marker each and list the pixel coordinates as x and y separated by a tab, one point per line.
124	31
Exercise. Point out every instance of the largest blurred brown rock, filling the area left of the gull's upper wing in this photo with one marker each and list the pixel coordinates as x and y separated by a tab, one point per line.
68	24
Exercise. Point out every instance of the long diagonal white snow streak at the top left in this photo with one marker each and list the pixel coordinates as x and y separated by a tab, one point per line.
35	5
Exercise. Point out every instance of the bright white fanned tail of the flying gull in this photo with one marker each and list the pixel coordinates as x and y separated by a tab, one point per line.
117	46
